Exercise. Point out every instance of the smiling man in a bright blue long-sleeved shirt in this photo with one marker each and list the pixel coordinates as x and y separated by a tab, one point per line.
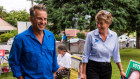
33	53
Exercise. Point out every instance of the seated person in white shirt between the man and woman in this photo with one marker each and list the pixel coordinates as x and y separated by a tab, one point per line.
64	61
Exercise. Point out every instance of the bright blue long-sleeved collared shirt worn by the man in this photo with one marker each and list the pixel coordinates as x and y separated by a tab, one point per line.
31	59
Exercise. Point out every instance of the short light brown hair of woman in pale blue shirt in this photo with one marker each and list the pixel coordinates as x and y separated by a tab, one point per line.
104	15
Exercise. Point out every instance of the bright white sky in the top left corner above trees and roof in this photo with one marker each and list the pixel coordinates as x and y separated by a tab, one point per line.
17	5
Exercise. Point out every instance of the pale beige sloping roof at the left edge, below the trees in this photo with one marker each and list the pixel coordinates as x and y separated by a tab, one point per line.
5	26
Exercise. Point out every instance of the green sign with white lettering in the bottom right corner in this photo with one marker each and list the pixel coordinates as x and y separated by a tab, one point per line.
133	70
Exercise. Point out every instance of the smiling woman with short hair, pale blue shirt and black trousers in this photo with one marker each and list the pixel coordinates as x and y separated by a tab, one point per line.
101	44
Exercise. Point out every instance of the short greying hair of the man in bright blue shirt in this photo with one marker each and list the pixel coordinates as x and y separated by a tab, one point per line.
39	7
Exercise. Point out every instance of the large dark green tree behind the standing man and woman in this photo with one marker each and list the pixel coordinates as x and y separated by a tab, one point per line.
126	15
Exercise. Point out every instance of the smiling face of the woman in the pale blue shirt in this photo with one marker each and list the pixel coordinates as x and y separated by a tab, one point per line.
102	25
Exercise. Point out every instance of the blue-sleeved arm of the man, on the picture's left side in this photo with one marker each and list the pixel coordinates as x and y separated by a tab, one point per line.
14	57
